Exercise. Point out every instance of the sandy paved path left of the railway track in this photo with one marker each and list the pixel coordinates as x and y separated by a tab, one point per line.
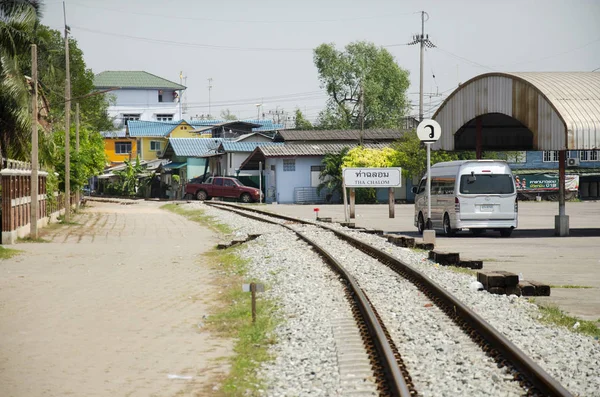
111	306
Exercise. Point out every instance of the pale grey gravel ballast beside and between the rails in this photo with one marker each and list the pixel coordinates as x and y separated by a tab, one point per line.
310	297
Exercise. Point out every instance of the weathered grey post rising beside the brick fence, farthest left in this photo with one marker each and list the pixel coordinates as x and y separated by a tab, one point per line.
34	148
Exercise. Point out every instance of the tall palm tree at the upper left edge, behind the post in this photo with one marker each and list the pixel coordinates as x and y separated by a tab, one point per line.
18	20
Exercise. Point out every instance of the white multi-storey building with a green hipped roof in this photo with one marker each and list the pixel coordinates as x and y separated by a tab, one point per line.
140	96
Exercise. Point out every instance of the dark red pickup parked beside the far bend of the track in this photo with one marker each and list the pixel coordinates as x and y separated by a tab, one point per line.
223	187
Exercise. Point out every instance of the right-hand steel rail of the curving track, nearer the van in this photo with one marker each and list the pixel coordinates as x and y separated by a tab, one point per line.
533	373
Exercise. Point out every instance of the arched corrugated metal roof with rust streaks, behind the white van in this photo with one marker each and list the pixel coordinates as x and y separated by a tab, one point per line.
523	111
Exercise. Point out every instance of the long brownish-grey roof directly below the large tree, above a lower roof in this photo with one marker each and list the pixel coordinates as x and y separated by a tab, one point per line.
340	135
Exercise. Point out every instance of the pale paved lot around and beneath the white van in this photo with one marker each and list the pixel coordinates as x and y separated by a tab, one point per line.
533	250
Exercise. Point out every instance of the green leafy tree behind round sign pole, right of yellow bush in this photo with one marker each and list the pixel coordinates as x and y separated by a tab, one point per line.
411	155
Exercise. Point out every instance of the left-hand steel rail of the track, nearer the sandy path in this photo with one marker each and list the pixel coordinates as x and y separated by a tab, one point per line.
396	384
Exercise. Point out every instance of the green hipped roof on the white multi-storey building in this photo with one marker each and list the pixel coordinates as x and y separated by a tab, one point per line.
133	79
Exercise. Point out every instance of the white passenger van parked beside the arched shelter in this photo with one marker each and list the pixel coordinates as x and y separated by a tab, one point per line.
469	194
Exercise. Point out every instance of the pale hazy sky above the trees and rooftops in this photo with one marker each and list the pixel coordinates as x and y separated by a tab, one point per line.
259	54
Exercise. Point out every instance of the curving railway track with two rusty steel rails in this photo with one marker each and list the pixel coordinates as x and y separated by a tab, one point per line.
390	371
